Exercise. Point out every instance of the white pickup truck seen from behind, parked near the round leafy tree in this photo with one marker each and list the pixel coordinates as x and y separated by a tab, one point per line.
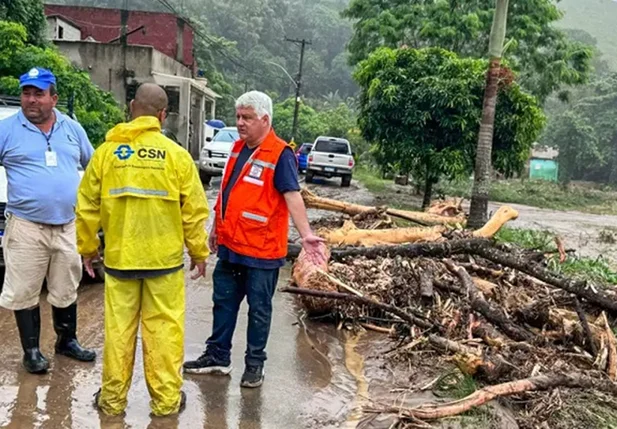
331	157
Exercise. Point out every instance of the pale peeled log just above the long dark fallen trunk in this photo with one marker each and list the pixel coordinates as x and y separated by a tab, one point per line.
351	236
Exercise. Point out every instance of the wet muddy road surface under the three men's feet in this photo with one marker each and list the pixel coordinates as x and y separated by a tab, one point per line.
307	384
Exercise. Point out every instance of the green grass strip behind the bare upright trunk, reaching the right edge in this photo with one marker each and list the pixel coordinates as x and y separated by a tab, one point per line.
542	194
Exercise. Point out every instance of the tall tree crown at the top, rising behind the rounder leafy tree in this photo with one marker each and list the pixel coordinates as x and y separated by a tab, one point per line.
543	56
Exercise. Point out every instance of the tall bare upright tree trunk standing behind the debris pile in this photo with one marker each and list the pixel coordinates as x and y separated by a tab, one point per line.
482	178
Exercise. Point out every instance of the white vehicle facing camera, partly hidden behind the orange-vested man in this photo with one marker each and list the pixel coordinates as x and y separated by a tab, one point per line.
215	152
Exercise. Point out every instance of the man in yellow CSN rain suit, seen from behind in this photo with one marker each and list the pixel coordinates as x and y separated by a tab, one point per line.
144	191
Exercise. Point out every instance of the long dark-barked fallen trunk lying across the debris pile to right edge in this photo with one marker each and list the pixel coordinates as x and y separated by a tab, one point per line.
602	298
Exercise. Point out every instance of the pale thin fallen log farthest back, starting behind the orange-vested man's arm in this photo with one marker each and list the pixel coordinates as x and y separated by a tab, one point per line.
315	202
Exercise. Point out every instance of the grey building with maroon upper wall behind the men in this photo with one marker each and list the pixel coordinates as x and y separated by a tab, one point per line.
158	48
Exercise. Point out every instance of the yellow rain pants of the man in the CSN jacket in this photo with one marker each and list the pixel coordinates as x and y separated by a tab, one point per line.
160	302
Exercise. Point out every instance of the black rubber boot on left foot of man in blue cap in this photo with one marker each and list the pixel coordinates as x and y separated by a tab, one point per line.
29	325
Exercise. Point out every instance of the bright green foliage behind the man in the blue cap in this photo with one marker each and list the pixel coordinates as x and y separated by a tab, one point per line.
95	109
